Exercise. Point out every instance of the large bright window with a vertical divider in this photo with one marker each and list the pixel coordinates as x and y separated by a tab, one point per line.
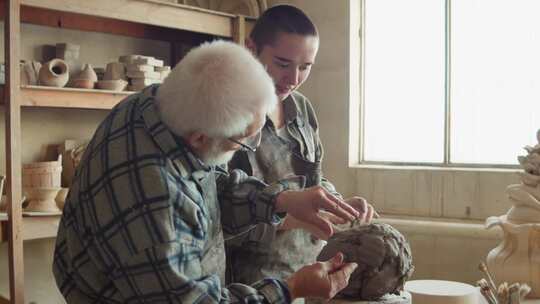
453	82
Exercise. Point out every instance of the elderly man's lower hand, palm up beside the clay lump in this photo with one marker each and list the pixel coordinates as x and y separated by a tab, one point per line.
322	279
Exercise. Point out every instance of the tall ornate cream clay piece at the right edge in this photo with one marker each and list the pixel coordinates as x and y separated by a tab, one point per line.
517	258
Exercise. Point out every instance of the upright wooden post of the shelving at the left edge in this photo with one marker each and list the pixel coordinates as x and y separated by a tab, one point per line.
13	151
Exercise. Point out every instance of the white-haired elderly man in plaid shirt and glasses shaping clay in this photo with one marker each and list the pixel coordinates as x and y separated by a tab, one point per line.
144	217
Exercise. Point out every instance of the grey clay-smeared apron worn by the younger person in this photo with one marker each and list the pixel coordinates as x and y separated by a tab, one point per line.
290	249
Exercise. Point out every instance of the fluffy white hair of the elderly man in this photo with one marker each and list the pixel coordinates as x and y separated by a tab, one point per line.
218	89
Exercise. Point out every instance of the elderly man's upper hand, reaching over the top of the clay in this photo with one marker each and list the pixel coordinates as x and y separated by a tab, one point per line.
305	206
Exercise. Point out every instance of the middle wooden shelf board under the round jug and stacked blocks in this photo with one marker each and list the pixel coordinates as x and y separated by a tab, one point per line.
50	97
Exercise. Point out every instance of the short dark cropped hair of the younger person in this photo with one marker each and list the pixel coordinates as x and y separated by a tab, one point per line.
281	19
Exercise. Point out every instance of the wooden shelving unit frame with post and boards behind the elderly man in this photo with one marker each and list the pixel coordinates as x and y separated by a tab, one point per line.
155	19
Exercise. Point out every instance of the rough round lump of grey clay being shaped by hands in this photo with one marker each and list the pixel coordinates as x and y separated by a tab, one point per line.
383	256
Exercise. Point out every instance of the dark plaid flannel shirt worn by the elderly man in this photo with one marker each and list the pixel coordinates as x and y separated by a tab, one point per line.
136	225
